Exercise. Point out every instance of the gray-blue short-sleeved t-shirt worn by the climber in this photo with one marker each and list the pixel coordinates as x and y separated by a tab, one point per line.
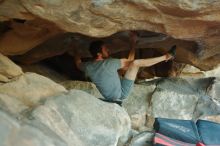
105	76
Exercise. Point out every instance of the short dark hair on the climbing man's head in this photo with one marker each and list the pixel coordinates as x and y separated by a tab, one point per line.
95	48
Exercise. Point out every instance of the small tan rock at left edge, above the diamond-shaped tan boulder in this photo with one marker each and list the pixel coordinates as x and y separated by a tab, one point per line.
8	69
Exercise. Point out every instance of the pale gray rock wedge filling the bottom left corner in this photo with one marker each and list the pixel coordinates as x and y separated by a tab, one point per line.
12	133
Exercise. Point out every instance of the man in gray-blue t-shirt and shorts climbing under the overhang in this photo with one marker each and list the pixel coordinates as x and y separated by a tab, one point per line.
103	70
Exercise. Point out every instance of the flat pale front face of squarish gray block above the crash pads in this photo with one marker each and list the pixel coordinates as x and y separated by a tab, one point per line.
169	104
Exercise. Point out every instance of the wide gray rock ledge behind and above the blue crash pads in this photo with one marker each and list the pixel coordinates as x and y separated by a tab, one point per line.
184	98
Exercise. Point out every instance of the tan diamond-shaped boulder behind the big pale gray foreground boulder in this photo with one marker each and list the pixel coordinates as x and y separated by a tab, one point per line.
30	88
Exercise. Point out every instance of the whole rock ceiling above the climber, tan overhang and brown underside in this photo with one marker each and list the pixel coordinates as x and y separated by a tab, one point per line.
193	25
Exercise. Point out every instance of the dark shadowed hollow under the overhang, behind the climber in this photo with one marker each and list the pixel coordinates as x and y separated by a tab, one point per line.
57	52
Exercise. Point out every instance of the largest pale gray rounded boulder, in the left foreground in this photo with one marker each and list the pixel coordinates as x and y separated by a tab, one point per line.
71	118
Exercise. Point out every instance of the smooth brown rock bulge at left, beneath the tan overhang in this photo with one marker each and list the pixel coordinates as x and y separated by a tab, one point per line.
22	37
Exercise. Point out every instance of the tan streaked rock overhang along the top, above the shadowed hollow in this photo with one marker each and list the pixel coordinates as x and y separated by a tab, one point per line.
102	18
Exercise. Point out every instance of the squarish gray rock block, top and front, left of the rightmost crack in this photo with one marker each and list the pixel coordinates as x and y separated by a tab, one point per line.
174	98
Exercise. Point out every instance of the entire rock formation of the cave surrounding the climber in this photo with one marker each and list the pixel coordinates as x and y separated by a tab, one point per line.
45	100
